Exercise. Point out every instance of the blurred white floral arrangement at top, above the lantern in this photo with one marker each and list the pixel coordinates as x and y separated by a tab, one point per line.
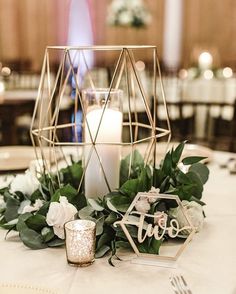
129	13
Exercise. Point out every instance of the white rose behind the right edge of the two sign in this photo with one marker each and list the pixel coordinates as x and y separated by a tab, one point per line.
195	214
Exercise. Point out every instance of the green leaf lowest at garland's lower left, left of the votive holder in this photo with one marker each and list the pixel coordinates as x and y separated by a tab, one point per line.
32	239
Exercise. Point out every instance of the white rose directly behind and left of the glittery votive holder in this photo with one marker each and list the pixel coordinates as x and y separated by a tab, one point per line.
58	214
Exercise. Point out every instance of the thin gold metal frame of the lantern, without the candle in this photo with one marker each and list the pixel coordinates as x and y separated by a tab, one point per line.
45	121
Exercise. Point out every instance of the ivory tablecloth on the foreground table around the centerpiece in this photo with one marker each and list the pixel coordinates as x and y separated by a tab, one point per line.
208	263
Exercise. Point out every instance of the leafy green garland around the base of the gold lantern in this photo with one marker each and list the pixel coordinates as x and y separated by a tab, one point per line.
35	232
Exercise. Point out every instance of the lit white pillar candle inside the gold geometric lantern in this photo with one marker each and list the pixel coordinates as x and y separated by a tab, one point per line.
110	131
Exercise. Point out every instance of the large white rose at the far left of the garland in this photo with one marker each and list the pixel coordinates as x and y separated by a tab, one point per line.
26	183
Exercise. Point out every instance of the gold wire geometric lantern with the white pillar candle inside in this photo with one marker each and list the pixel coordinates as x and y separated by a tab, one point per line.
113	111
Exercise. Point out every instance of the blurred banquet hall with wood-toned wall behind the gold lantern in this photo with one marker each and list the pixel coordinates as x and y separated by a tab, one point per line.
196	47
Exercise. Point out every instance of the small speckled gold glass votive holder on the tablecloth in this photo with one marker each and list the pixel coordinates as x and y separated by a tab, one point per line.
80	242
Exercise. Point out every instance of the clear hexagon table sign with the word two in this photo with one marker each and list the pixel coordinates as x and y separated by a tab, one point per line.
159	236
